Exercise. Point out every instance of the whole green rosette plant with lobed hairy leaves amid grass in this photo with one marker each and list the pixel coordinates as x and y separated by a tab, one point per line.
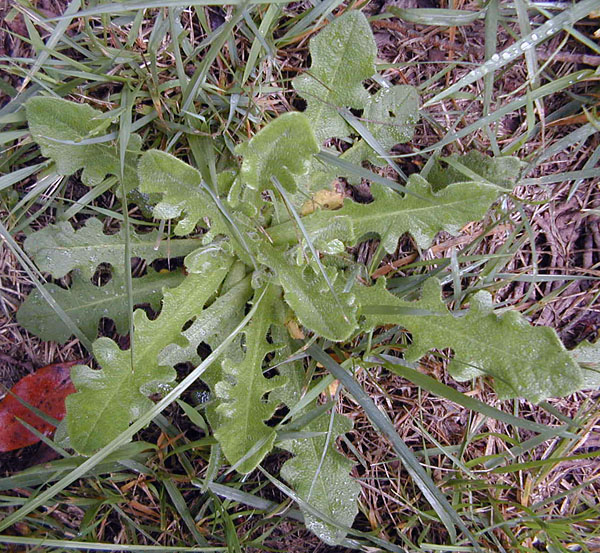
247	237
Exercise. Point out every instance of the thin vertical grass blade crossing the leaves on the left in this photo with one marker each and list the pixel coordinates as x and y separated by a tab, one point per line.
127	100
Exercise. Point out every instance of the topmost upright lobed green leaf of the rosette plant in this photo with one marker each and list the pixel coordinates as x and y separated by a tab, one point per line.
343	56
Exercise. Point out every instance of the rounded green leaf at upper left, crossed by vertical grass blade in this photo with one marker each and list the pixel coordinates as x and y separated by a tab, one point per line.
57	125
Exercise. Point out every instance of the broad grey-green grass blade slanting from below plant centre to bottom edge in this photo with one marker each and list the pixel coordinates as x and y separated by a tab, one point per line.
438	501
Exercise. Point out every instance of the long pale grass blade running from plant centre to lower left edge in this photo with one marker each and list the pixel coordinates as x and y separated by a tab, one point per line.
126	436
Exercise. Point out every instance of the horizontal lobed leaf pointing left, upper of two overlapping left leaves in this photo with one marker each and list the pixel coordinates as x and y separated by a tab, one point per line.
59	249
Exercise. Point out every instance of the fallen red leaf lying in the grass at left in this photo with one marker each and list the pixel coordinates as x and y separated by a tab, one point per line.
46	389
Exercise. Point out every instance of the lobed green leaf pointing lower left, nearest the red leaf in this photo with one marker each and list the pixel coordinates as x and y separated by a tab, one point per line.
107	400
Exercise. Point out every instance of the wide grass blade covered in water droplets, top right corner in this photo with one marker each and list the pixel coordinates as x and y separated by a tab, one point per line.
565	19
